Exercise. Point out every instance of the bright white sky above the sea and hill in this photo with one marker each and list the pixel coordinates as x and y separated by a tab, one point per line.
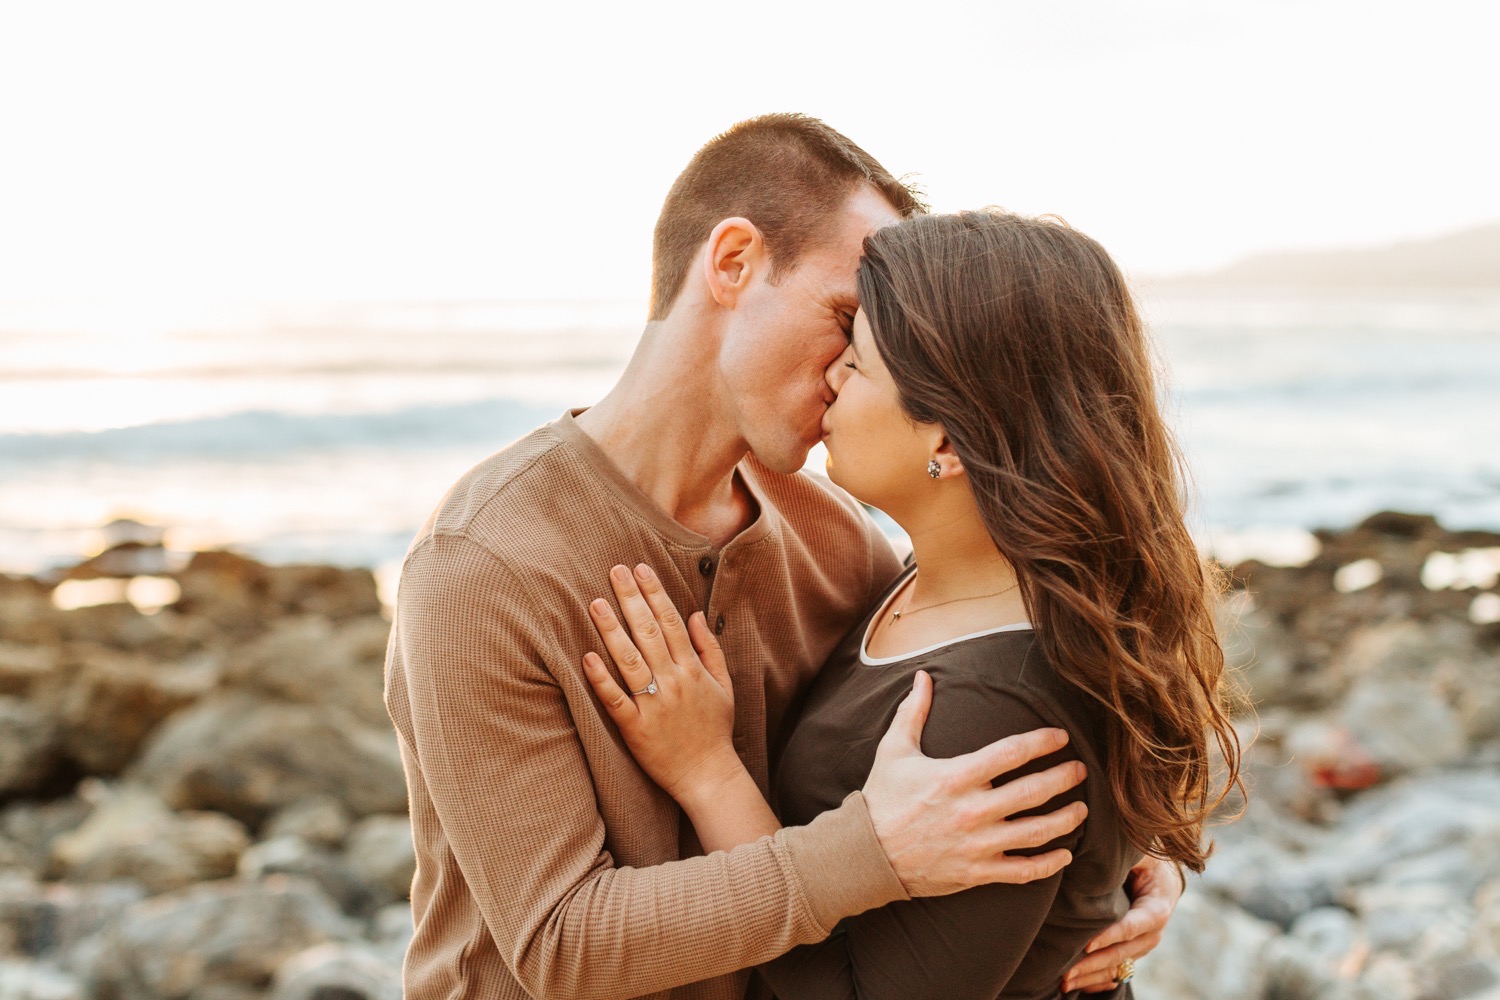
367	151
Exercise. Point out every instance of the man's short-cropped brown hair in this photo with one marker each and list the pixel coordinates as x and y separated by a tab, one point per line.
785	173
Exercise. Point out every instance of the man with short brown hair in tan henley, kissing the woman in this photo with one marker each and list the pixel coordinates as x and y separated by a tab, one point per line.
548	864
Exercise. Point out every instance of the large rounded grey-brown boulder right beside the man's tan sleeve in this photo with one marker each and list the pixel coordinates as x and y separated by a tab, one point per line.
251	758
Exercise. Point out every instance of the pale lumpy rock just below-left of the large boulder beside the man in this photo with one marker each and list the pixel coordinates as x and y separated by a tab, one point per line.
134	836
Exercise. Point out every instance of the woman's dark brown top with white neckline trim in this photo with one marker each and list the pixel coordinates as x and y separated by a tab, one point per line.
989	942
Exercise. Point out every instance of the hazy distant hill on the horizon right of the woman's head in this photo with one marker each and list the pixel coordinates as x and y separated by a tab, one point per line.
1469	260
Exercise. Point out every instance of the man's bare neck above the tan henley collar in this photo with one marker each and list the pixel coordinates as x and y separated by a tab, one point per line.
665	427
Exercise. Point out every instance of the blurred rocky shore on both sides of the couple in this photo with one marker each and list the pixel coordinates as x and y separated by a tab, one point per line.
206	800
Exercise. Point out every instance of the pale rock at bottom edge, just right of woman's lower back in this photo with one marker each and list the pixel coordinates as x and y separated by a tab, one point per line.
1210	950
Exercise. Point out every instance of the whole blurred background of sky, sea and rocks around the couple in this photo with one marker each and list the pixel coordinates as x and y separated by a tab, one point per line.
275	275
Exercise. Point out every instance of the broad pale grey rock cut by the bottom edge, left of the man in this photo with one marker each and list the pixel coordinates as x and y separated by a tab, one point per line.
214	936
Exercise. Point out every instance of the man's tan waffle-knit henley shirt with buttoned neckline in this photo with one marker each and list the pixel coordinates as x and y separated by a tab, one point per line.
548	863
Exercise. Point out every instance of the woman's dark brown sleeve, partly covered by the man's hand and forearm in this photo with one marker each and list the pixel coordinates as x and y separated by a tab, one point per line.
961	947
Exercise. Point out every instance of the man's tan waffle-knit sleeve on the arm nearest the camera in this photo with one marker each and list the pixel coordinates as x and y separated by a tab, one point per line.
499	746
